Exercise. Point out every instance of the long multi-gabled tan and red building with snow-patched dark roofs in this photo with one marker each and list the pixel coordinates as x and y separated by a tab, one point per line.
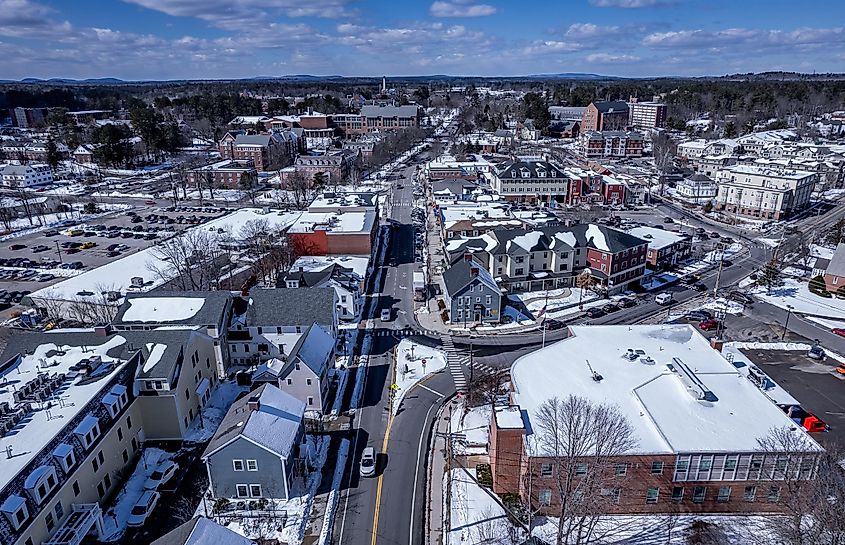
551	257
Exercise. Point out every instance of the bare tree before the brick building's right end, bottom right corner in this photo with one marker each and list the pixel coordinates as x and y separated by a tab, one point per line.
809	487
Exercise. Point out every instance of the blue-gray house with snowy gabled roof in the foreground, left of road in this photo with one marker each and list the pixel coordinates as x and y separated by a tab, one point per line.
252	454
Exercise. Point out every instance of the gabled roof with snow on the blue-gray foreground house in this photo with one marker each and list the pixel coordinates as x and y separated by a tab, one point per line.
274	425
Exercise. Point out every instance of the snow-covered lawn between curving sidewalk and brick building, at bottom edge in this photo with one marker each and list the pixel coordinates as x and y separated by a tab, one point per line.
476	516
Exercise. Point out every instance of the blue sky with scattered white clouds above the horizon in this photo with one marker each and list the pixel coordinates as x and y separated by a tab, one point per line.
175	39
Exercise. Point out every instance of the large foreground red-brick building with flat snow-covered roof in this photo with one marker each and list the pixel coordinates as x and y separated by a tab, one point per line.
696	422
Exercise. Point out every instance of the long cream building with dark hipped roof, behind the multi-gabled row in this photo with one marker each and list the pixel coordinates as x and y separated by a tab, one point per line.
536	182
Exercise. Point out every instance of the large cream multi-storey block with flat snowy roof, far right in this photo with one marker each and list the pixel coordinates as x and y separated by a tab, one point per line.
765	193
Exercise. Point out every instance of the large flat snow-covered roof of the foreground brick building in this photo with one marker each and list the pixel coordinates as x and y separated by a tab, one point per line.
679	395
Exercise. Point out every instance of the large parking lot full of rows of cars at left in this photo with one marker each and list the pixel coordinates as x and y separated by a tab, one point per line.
38	260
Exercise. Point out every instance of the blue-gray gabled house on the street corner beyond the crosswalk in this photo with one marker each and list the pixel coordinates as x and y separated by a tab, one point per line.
472	295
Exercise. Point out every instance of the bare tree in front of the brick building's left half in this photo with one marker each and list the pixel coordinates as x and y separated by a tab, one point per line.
583	442
